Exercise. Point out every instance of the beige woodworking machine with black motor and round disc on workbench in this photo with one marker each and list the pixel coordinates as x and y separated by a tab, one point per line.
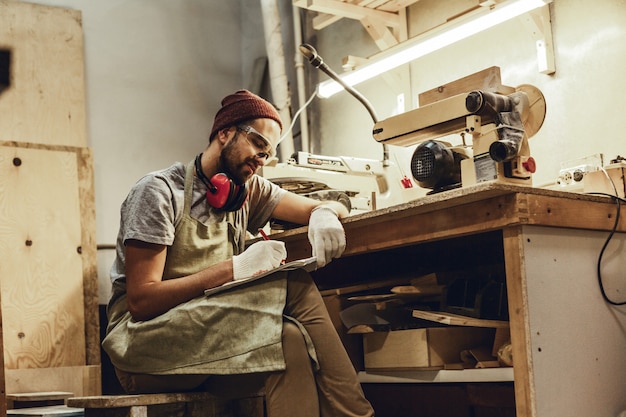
499	126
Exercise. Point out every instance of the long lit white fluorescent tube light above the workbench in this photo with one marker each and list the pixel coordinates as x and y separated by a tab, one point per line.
433	40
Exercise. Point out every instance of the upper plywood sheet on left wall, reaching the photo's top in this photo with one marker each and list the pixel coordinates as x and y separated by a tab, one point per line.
46	100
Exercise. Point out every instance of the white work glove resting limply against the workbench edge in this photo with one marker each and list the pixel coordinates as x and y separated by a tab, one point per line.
326	234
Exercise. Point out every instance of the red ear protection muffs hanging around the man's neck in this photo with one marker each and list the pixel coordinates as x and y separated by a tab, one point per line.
223	193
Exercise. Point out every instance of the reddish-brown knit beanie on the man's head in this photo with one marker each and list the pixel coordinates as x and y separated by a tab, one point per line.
241	106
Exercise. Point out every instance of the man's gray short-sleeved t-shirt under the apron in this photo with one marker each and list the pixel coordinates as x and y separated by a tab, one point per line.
155	204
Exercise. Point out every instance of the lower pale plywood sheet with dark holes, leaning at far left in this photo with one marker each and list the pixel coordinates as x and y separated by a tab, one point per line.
41	273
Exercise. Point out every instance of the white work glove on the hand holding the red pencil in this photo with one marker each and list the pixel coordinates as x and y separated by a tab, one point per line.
259	257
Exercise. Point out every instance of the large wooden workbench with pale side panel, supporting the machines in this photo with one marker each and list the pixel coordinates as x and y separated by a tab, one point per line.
569	344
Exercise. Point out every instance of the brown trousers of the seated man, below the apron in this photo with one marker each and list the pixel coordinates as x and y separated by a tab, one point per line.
333	390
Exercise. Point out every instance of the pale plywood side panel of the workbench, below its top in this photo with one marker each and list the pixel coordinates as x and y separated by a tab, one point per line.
575	336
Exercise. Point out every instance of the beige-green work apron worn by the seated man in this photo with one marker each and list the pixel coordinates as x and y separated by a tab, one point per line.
233	332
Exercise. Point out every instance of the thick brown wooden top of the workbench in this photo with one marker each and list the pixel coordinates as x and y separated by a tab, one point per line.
462	211
